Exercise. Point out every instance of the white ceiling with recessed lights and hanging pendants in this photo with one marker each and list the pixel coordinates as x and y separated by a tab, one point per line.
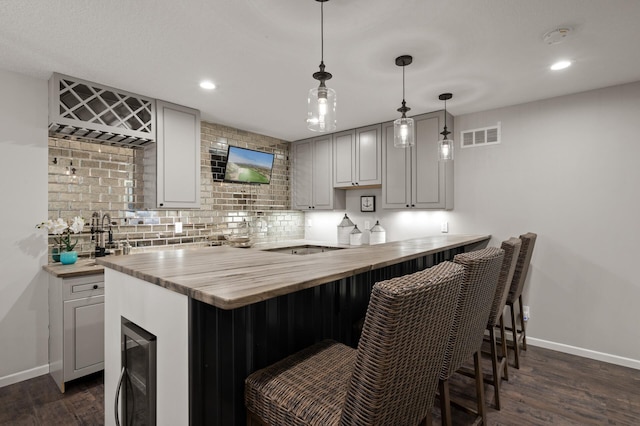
261	53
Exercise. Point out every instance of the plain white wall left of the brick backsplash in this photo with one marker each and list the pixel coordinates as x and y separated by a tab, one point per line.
24	314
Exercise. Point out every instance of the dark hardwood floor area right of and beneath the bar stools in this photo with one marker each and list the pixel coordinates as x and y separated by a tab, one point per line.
554	388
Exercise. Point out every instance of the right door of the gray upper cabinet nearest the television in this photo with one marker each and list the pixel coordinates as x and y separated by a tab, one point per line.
322	171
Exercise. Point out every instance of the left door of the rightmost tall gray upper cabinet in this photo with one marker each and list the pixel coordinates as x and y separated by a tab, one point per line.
396	172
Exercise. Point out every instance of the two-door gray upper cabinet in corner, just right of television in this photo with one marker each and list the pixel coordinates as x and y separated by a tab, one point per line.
312	184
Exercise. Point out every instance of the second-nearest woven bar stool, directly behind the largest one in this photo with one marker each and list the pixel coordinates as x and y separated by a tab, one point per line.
482	269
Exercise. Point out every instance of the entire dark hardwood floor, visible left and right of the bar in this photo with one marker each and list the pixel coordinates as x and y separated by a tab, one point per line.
551	388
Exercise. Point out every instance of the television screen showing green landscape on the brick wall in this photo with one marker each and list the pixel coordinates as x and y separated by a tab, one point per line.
248	166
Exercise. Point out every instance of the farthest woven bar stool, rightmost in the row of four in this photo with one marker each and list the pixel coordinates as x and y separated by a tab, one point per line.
515	294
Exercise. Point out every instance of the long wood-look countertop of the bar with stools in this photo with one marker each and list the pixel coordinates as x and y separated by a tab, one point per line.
229	277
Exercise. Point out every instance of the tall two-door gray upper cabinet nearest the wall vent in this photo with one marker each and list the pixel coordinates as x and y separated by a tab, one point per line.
413	177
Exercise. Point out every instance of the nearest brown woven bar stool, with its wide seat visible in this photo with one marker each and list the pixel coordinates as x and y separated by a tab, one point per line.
391	379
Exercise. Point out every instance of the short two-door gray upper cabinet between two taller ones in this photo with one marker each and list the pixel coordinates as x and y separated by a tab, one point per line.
357	157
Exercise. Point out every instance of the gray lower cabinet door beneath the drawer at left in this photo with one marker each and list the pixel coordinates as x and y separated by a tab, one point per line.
83	336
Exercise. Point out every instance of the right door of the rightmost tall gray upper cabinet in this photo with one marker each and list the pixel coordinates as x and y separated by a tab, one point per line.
432	180
